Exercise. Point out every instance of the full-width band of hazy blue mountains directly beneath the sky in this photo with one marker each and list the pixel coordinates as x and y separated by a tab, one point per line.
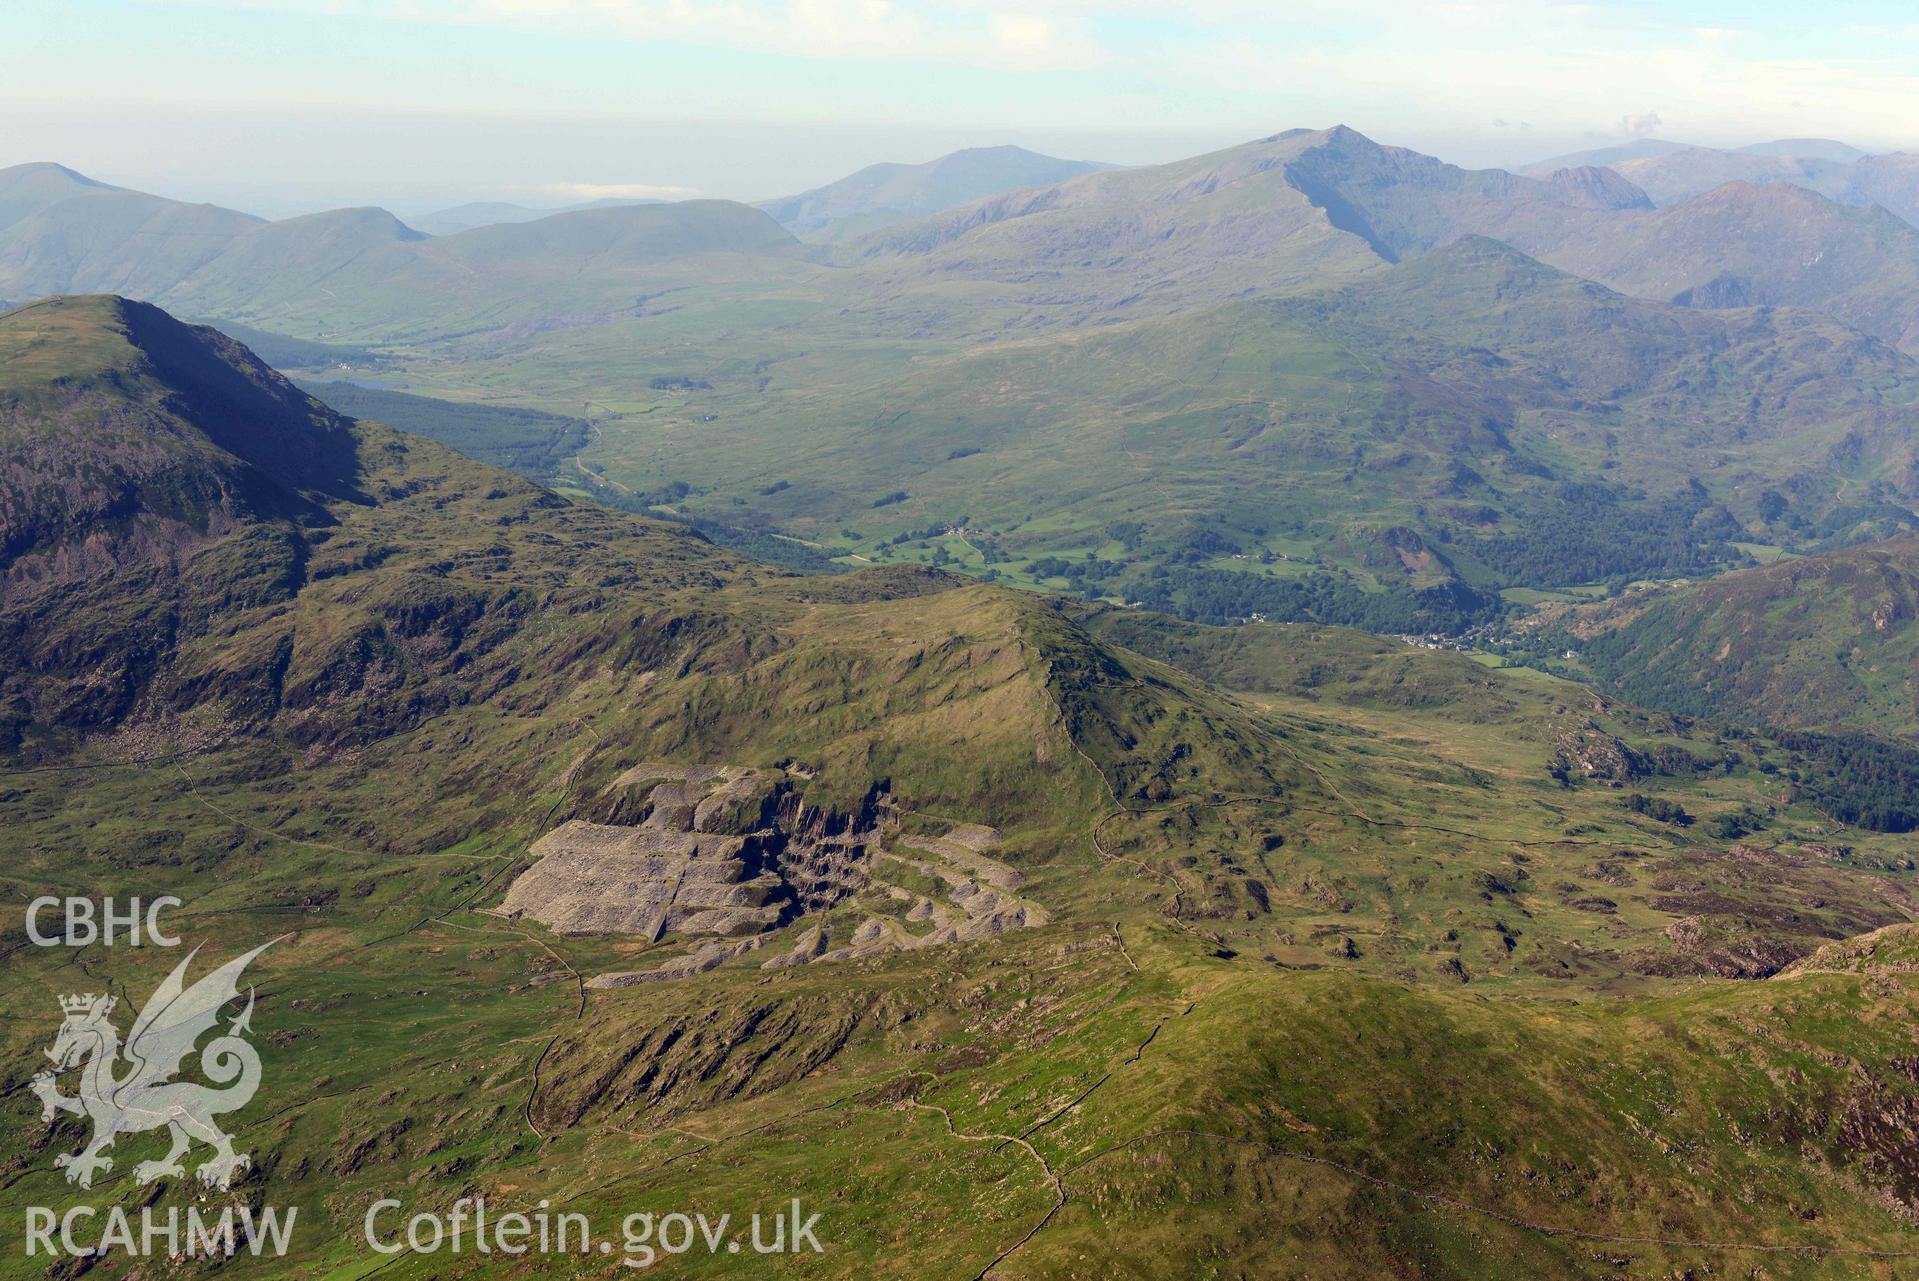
1070	245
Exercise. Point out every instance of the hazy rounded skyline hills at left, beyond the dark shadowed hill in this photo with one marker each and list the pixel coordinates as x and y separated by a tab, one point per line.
62	233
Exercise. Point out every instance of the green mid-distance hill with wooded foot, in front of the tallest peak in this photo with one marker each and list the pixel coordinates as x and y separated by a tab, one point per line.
1459	425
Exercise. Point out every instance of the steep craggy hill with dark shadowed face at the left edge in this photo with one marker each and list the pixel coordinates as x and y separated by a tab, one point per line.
183	534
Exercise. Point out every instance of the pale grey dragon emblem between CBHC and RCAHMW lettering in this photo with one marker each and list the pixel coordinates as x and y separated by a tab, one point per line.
131	1090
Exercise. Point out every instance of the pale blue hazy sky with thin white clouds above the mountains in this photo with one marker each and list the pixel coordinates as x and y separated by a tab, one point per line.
289	106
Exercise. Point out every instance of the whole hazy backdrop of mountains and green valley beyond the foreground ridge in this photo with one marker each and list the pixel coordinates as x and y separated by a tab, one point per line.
1419	384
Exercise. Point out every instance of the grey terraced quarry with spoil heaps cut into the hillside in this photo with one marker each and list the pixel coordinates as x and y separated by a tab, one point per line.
721	856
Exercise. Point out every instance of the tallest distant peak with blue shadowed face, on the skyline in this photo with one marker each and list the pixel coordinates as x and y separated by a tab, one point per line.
1296	208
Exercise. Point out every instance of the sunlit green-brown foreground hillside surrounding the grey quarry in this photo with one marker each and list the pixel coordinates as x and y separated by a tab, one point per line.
1337	958
